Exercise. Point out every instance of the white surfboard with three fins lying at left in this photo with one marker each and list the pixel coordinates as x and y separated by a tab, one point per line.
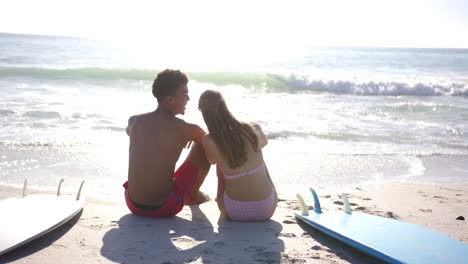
28	217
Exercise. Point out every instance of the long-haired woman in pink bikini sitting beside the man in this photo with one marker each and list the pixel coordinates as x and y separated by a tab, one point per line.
245	189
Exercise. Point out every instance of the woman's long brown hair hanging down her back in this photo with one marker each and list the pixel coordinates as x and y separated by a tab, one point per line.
228	133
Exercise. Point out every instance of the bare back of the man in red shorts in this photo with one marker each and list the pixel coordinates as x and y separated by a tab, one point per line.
156	141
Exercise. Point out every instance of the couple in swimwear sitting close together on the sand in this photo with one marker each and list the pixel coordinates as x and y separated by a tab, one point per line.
154	188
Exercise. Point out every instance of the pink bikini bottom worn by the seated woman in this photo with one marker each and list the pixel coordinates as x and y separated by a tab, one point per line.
250	210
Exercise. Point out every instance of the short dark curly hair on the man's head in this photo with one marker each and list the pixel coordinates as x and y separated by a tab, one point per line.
166	83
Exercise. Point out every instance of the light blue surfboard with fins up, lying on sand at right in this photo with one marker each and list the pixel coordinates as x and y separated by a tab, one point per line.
390	240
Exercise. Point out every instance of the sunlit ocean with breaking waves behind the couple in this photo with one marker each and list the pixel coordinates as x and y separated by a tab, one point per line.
336	118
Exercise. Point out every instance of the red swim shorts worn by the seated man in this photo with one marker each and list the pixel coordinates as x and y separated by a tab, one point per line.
184	179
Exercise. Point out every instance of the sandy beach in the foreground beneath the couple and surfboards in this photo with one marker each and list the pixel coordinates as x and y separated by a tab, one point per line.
105	232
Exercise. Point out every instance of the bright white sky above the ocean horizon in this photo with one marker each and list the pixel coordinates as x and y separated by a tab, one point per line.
382	23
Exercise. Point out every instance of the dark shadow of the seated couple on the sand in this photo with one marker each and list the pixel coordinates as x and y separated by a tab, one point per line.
178	240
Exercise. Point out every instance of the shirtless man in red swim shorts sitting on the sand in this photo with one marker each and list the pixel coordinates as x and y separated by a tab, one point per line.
156	141
